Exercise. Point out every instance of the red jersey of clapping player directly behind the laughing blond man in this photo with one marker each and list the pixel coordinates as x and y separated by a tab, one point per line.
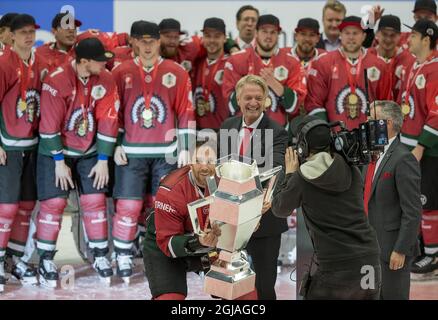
287	71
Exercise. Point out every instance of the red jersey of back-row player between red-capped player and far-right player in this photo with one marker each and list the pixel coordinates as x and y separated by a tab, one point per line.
397	65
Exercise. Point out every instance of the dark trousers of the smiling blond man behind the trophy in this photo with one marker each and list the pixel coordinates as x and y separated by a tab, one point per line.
264	254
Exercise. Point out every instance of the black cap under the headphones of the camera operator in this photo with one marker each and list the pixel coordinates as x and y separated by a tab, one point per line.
317	138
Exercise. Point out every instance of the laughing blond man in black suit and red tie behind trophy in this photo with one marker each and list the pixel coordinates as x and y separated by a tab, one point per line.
254	135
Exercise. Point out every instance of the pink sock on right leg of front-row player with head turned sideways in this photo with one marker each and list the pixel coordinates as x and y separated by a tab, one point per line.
95	219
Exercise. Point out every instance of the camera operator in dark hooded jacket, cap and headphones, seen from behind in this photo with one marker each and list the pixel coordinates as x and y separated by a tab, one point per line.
330	193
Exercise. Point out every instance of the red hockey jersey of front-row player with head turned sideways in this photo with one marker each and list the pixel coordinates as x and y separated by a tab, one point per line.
78	118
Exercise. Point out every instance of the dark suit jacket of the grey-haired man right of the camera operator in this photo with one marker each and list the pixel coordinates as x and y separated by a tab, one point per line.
394	209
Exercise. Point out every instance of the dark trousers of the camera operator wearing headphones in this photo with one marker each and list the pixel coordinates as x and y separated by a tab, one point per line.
345	284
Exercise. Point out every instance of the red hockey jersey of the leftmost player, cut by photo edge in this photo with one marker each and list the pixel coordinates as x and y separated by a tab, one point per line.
20	91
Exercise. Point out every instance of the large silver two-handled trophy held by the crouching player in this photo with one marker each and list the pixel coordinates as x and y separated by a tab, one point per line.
235	205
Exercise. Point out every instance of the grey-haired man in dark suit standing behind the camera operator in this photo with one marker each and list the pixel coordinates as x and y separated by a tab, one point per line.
394	205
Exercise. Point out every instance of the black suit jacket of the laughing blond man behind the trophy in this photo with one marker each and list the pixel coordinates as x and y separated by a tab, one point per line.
266	154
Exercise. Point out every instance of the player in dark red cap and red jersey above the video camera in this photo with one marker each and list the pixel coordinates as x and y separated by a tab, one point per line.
336	85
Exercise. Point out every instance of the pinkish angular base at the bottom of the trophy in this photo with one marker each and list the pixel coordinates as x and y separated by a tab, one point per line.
226	287
